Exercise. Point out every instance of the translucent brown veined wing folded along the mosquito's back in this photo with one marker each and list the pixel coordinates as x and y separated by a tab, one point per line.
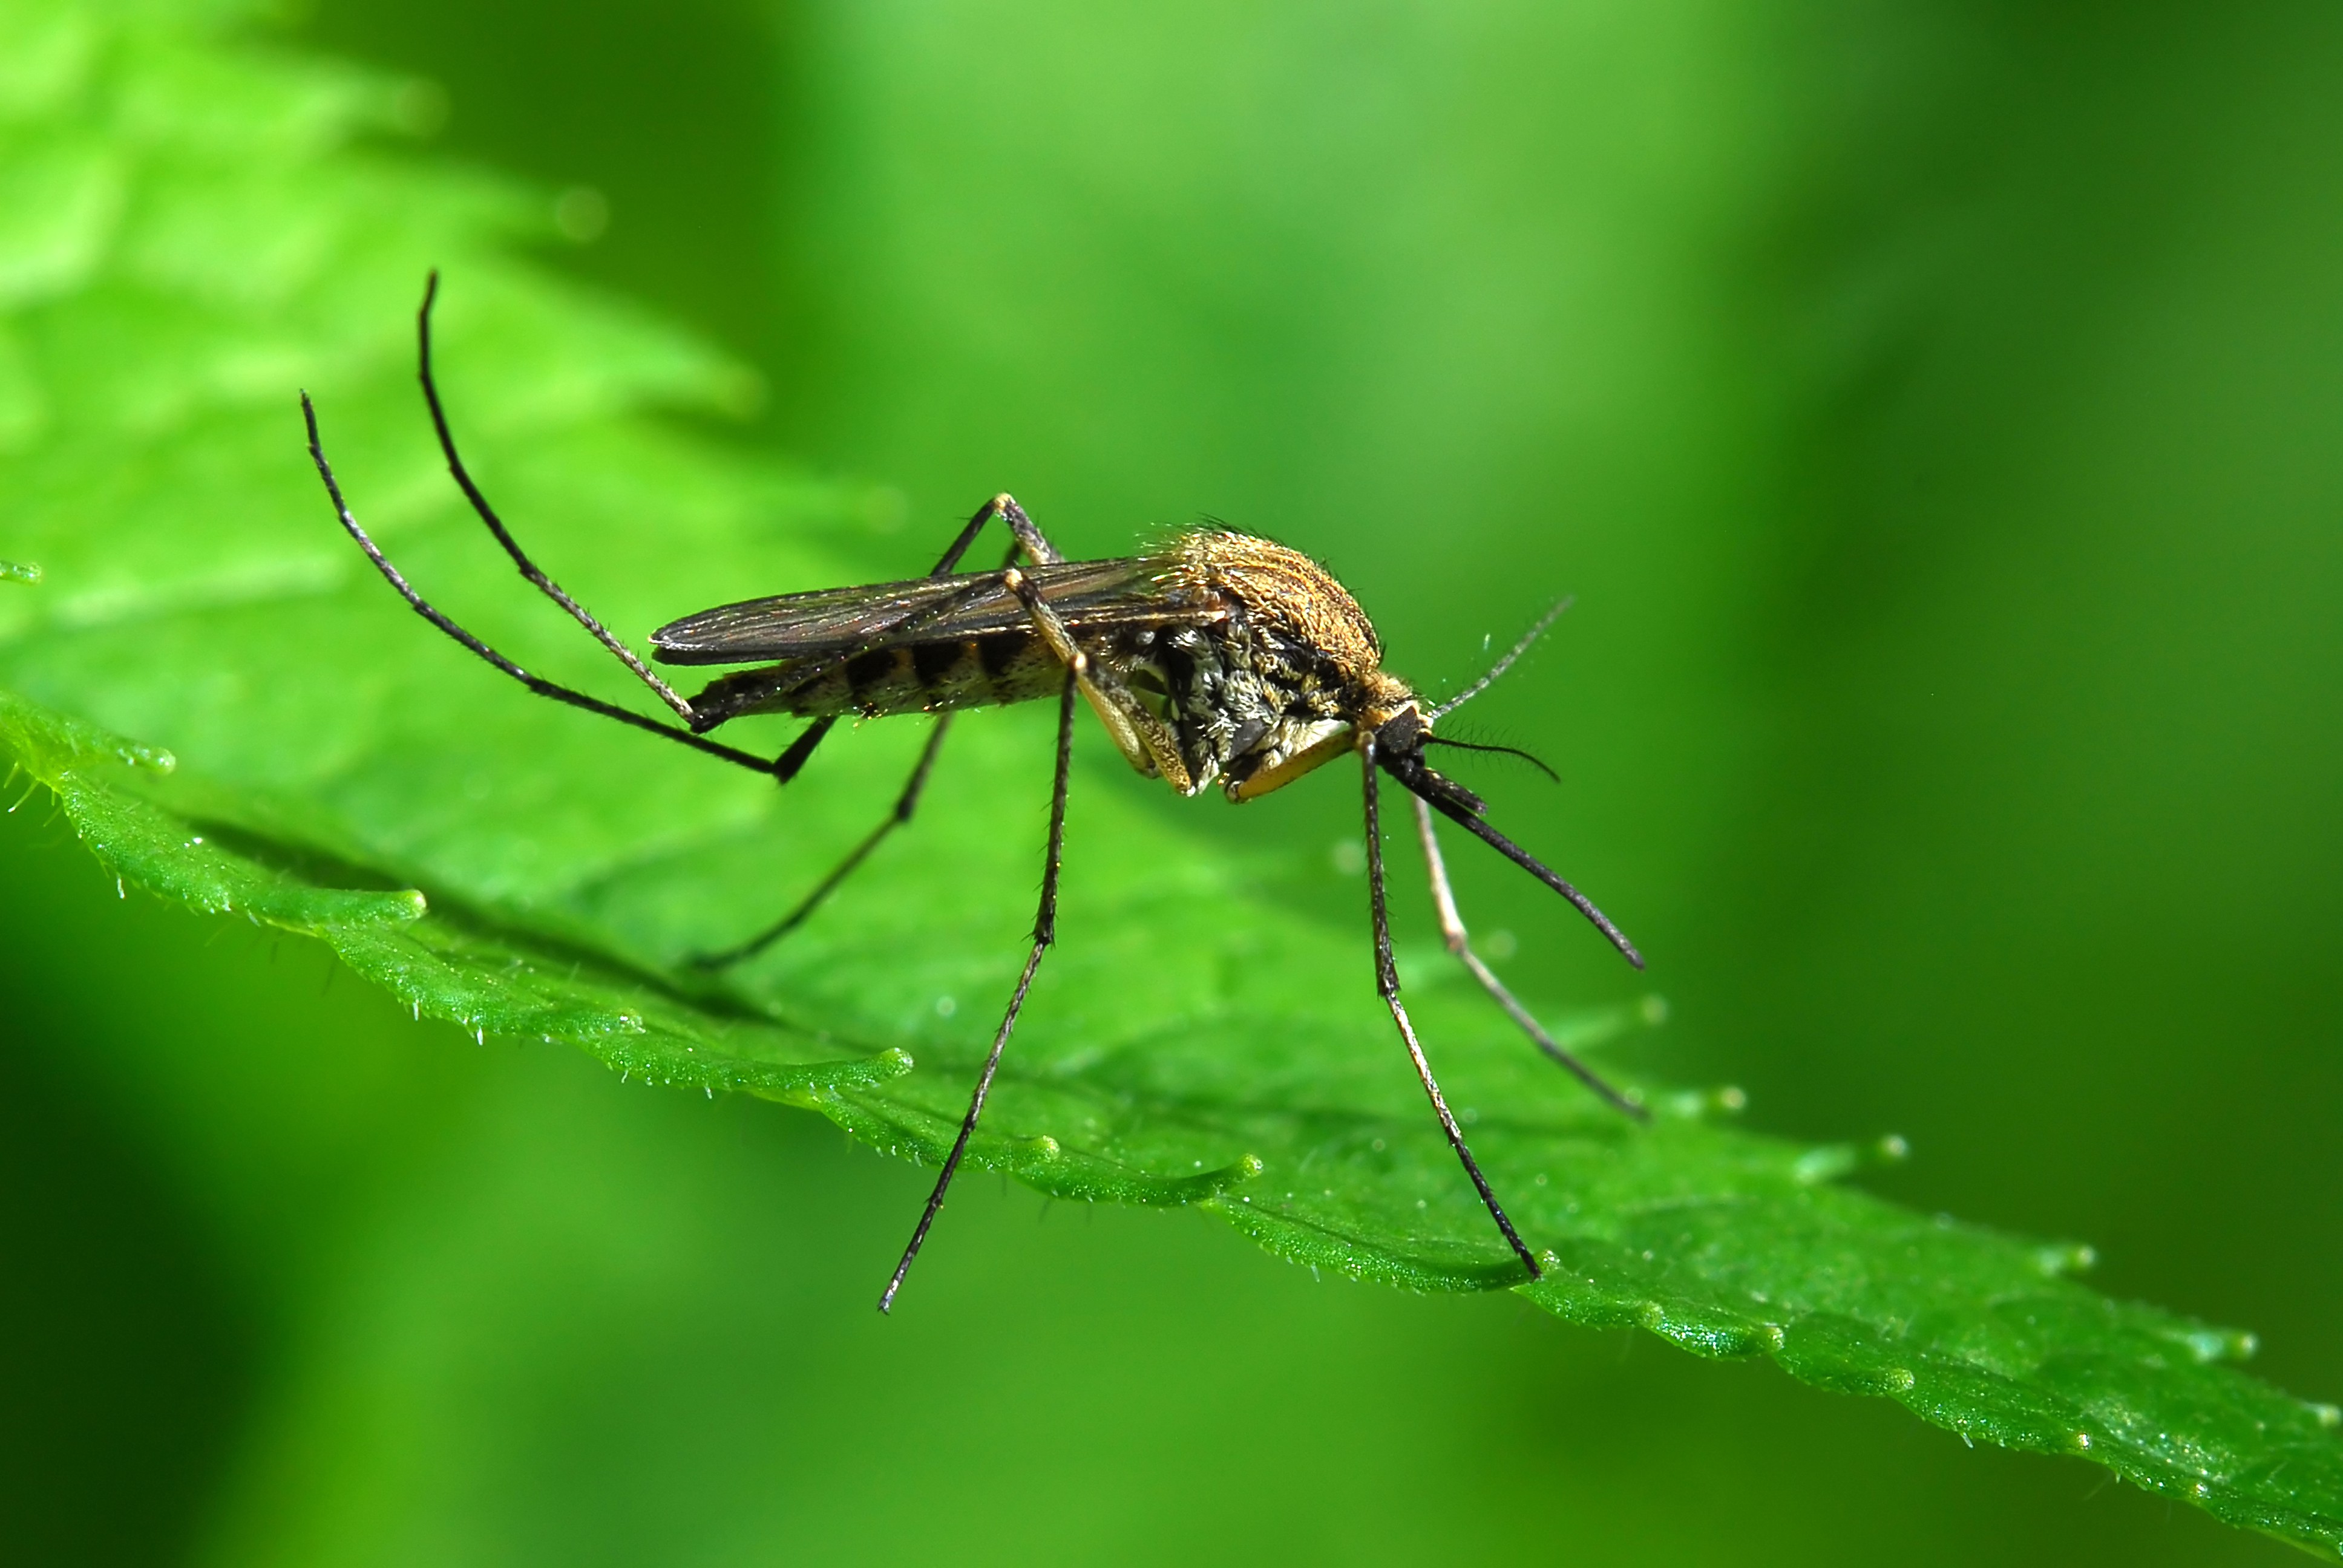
922	611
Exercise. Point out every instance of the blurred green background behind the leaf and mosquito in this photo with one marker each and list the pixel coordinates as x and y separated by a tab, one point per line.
1936	416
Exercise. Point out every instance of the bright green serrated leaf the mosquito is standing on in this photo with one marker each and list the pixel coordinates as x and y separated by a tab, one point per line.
193	231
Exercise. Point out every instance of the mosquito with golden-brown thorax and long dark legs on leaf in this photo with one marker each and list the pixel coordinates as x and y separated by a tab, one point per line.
1213	660
